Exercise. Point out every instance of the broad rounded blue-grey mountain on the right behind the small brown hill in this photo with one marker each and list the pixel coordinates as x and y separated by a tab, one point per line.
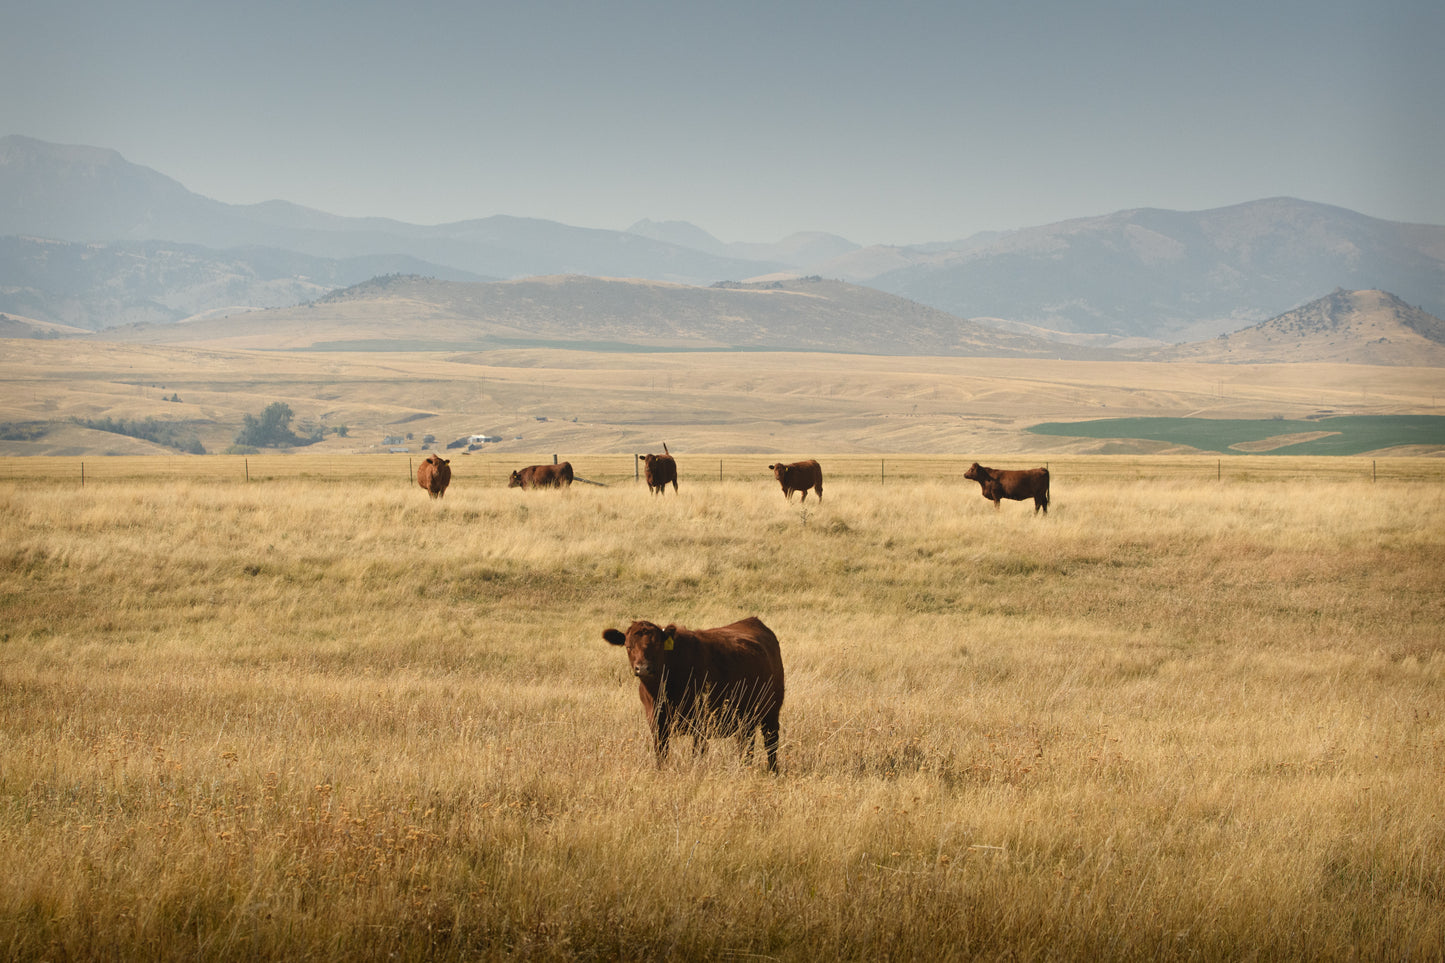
1167	275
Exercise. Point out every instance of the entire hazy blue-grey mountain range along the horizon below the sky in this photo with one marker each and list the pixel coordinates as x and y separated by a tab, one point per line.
93	241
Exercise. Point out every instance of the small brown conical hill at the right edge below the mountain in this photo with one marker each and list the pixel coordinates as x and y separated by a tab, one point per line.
1356	328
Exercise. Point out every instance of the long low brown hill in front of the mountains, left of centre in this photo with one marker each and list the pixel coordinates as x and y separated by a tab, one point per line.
404	313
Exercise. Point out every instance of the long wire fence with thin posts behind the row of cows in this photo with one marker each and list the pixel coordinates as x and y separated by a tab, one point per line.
625	469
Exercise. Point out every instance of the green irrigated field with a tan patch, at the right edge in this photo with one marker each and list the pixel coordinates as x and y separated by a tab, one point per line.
1339	436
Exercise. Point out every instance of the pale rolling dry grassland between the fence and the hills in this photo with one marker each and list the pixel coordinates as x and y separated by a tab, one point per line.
726	403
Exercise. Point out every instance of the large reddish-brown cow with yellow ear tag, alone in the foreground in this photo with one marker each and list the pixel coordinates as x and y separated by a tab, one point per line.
706	683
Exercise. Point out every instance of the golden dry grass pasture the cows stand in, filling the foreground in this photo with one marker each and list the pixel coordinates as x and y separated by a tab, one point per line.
322	716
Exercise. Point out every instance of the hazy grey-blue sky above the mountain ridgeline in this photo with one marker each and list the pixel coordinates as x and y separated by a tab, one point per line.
884	122
